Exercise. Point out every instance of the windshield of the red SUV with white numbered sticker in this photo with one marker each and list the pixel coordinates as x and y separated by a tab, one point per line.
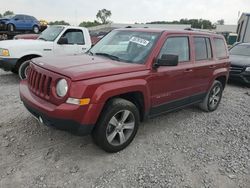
128	46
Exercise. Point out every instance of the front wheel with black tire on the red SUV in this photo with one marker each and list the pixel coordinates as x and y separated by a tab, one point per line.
103	126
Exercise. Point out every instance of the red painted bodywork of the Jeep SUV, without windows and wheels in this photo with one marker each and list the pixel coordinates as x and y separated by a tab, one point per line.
100	79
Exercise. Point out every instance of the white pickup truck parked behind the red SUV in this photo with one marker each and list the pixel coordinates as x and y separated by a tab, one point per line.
55	40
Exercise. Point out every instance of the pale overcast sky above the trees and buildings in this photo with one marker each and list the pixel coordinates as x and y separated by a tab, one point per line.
130	11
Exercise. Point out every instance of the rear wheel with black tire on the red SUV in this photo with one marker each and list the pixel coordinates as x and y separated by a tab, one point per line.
211	102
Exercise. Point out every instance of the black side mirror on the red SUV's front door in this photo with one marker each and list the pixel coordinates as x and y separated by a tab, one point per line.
167	60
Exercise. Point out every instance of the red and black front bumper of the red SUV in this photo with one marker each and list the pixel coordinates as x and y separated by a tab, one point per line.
62	117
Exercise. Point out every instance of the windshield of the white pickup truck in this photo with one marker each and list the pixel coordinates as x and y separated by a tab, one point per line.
51	33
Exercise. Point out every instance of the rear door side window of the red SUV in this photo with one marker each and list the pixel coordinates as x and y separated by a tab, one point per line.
202	48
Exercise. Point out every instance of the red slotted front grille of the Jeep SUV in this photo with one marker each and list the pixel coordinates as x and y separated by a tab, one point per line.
39	83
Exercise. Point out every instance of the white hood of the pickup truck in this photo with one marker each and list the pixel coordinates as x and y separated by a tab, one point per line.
30	44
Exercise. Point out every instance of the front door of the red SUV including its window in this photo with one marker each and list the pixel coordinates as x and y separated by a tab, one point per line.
172	87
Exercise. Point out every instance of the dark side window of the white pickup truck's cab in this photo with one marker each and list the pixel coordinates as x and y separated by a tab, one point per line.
74	36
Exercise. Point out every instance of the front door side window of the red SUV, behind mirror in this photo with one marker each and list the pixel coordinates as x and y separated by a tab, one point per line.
176	46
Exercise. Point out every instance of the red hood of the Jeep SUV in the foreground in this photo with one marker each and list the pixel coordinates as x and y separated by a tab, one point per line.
83	67
